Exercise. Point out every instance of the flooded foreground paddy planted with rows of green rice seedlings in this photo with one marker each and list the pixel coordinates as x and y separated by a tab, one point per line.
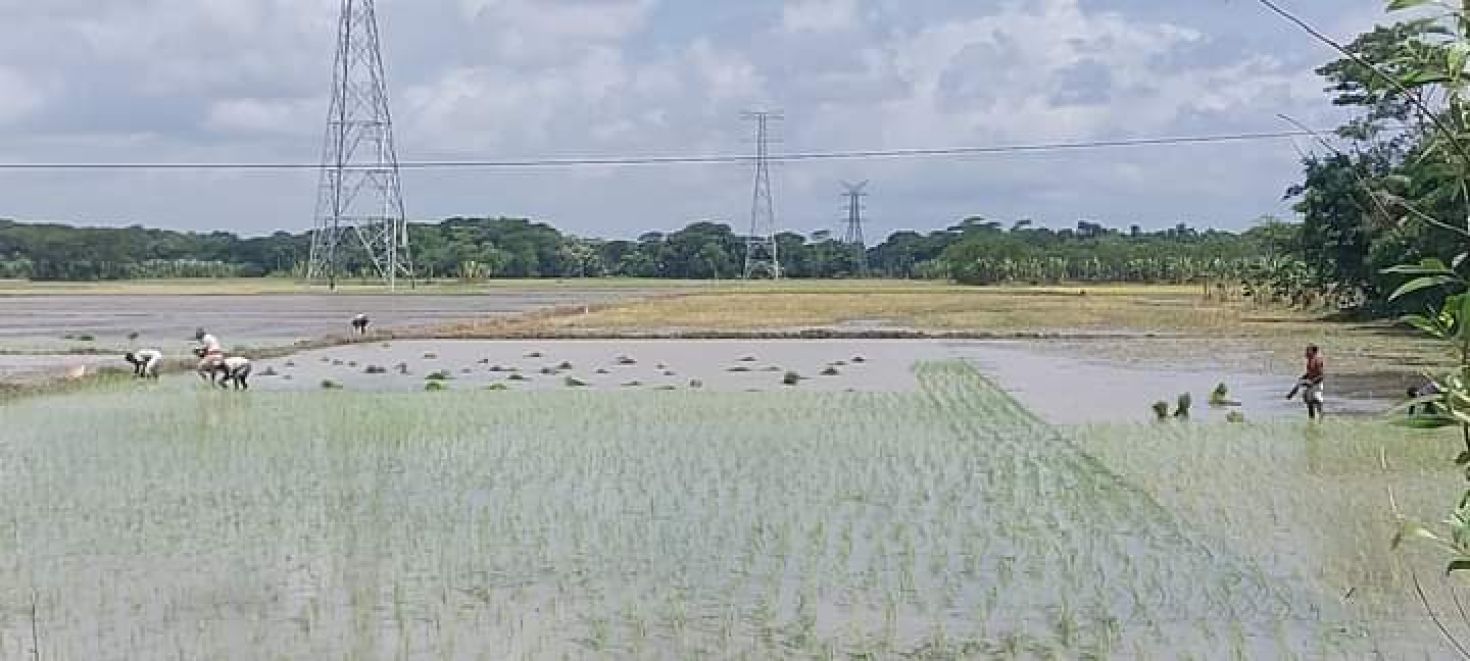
933	519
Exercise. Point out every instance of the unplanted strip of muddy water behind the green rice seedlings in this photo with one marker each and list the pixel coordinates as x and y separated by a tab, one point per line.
1061	387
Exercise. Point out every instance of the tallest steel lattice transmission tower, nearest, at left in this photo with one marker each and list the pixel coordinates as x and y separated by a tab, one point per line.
361	201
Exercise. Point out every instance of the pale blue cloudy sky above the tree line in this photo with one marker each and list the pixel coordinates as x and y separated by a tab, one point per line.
495	80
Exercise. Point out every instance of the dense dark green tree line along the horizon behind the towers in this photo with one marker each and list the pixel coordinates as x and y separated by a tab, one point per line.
974	252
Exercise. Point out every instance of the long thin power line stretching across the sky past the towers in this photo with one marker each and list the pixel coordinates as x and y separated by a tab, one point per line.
698	159
